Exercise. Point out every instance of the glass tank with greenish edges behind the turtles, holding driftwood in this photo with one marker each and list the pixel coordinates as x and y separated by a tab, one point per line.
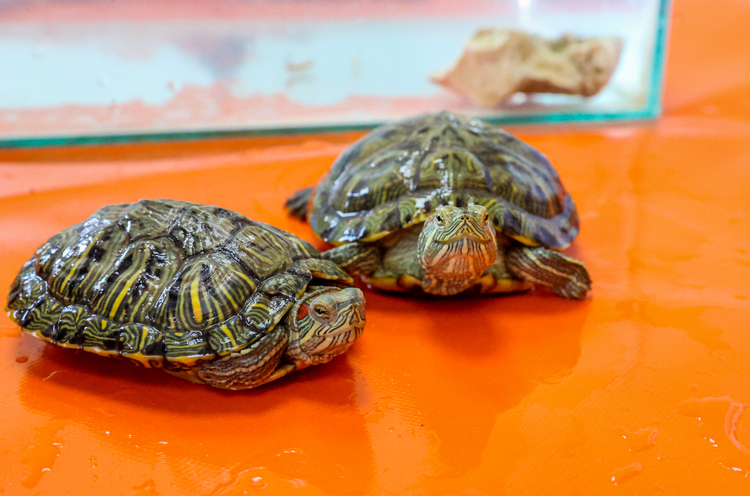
93	71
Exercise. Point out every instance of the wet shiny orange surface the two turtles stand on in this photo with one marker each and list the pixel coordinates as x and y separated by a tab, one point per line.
641	389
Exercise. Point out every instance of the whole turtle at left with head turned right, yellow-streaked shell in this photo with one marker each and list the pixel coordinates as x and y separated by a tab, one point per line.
204	292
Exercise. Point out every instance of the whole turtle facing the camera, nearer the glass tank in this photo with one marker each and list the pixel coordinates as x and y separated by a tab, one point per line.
445	203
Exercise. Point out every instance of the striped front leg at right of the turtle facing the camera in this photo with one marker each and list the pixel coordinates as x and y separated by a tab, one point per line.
564	275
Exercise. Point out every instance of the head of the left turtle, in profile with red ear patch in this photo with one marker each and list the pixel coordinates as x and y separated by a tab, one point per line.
324	323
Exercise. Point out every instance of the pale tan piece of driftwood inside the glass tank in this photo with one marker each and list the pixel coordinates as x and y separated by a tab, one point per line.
497	63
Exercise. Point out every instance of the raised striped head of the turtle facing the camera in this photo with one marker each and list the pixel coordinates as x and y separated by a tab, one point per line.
456	246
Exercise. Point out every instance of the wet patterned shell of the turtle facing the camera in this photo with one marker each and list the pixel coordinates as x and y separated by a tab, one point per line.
395	176
